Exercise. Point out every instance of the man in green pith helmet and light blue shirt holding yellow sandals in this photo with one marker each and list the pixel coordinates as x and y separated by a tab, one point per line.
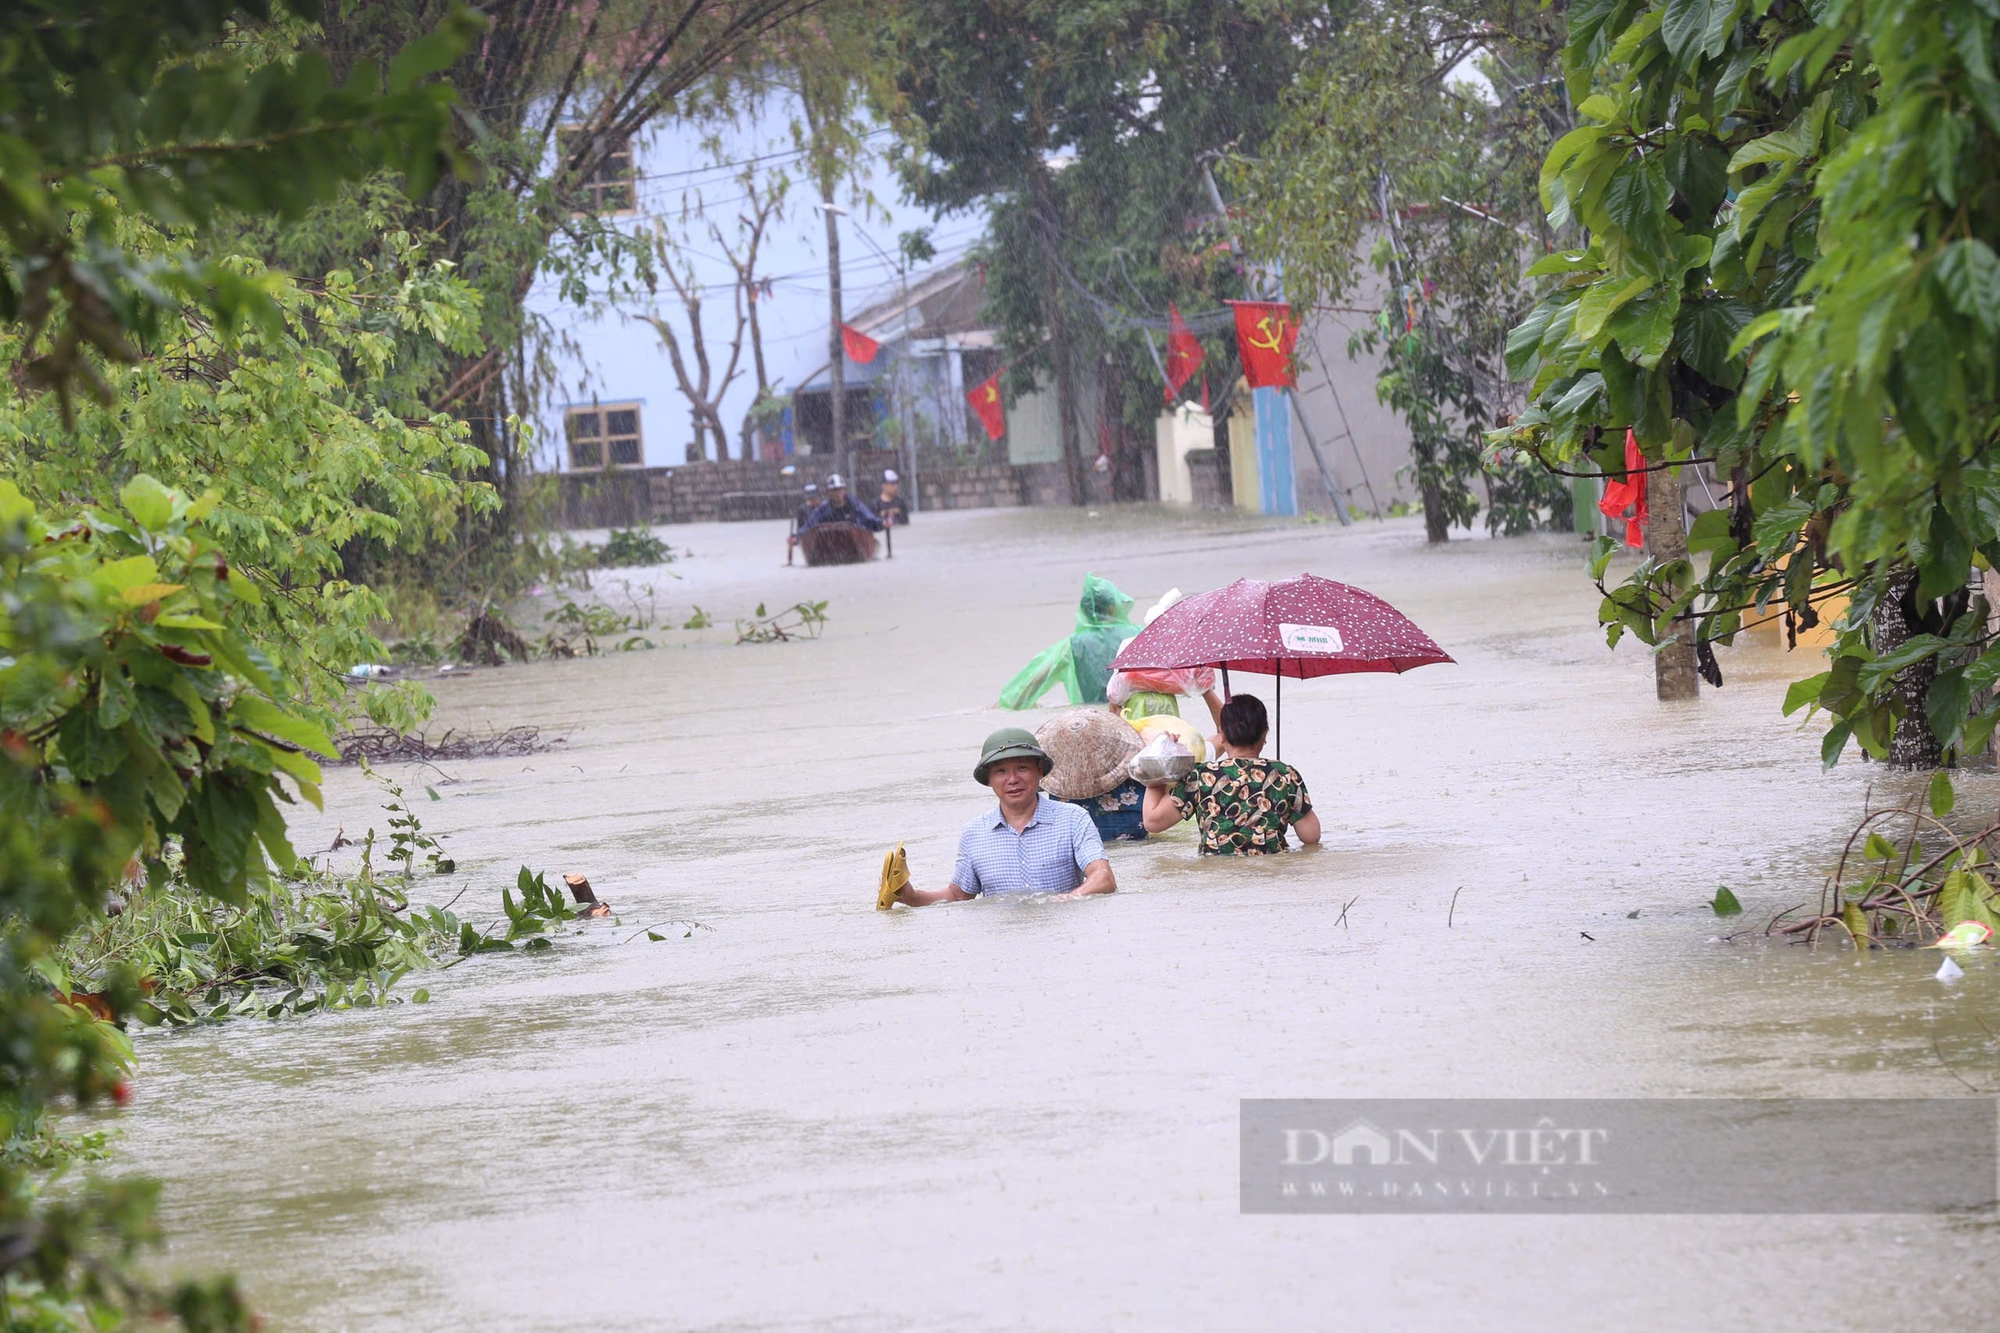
1029	844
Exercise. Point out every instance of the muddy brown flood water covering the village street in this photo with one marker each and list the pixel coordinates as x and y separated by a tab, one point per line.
1025	1114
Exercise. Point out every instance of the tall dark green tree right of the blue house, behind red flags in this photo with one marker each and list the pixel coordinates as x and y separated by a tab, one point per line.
1085	129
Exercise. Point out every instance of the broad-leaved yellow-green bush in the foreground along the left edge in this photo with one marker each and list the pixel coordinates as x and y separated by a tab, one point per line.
135	718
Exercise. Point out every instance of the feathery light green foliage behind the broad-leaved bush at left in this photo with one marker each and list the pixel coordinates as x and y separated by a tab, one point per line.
287	425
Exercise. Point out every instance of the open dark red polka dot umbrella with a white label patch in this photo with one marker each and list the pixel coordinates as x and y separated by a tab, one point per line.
1301	627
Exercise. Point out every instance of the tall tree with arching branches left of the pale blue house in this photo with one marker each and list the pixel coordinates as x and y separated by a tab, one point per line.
557	97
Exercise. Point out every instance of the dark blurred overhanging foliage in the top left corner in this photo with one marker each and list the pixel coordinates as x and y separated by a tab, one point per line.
121	109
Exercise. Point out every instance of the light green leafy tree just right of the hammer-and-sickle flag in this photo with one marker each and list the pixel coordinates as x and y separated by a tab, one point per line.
1379	153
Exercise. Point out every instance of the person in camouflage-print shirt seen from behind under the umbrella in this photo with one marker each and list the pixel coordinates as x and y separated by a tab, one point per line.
1241	802
